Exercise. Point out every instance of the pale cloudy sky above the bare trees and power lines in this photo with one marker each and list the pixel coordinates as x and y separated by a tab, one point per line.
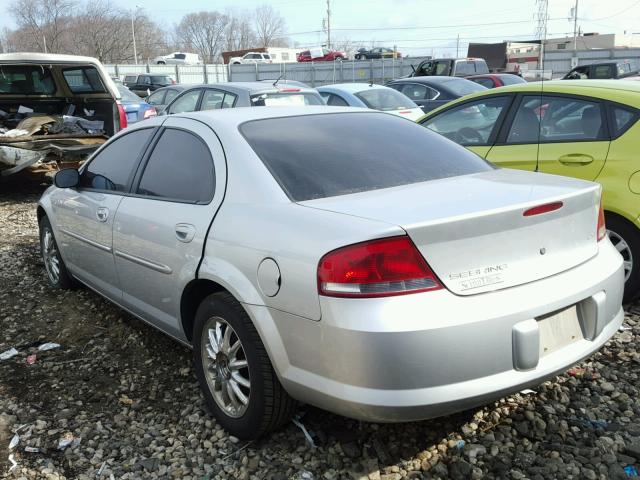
415	27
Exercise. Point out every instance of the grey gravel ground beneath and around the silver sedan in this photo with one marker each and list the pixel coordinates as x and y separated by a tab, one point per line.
125	401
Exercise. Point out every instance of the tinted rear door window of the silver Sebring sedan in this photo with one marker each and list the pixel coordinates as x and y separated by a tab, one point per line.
179	168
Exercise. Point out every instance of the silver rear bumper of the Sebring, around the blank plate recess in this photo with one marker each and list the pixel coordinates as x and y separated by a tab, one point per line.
425	355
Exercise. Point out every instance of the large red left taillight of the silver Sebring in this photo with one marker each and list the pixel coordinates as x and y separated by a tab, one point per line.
378	268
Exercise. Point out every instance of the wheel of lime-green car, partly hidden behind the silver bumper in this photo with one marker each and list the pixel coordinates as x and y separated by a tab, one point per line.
626	238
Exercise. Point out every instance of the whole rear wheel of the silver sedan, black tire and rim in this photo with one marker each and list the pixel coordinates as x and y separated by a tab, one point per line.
221	373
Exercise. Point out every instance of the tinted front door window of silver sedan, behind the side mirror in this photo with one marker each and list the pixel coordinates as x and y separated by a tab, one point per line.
112	167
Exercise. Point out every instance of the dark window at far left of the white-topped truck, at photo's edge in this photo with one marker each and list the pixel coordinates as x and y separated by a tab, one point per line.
26	80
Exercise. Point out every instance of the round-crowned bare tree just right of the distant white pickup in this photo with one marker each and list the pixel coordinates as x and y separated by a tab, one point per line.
204	32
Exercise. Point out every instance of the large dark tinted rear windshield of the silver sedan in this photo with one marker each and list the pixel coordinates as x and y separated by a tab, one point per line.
318	156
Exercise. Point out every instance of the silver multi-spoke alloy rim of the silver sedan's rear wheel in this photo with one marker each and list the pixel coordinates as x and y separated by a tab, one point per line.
226	368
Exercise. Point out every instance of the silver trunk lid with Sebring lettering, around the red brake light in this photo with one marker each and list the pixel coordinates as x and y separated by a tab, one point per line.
472	230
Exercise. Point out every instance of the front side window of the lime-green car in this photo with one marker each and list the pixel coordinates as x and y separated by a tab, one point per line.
471	123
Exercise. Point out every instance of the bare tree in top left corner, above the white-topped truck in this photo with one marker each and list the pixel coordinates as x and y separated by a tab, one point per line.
44	23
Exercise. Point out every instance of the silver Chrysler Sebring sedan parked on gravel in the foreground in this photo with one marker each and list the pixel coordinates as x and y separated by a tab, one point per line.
299	262
